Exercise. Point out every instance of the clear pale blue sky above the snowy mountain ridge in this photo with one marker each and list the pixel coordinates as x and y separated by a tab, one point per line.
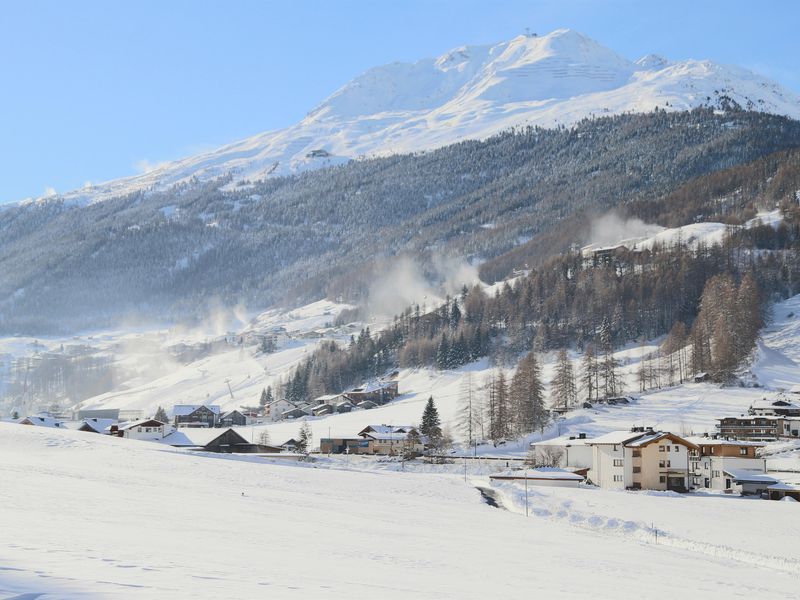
95	90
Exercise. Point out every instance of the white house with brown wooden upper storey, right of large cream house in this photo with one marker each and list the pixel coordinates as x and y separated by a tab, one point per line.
715	463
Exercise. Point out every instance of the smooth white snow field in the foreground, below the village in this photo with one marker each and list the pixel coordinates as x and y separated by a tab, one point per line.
92	516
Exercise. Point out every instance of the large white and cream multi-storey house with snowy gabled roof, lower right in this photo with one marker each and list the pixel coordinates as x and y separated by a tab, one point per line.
640	459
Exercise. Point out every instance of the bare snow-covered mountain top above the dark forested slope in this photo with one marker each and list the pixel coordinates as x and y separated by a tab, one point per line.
470	92
